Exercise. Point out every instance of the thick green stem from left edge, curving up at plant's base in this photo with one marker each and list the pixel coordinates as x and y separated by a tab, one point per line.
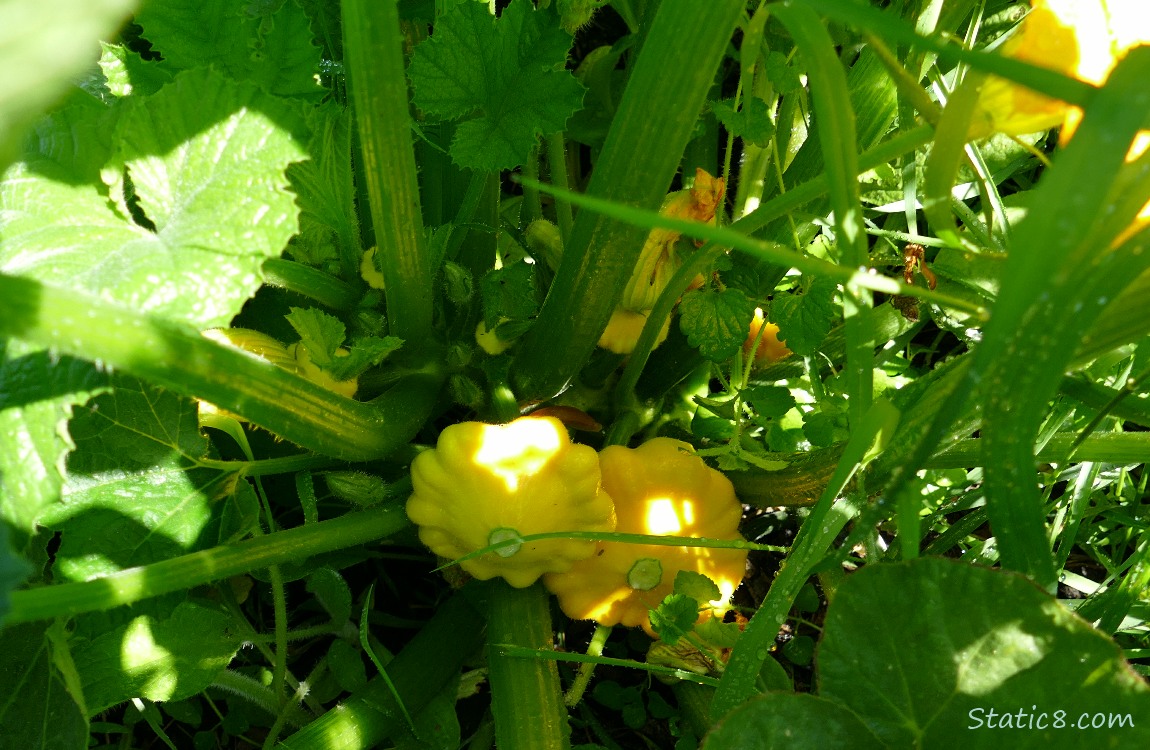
178	358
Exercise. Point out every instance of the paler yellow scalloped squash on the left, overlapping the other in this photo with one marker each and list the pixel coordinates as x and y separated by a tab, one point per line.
488	484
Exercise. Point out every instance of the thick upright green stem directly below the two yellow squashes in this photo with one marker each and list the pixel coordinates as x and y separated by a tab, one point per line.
526	698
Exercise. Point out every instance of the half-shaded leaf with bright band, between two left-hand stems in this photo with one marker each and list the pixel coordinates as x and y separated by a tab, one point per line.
134	493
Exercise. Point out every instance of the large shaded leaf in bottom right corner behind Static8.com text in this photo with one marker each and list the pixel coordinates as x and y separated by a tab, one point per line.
923	652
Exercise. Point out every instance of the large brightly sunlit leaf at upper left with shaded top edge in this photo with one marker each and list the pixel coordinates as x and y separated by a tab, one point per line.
206	158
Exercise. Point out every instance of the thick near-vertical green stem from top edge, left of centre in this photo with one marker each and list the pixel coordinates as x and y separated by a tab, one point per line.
374	56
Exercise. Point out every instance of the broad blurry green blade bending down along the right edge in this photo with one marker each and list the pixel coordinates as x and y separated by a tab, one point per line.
1057	279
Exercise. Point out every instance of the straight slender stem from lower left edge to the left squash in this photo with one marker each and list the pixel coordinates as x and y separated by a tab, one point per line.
189	571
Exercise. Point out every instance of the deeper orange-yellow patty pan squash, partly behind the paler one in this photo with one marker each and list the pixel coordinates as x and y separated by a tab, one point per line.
658	489
